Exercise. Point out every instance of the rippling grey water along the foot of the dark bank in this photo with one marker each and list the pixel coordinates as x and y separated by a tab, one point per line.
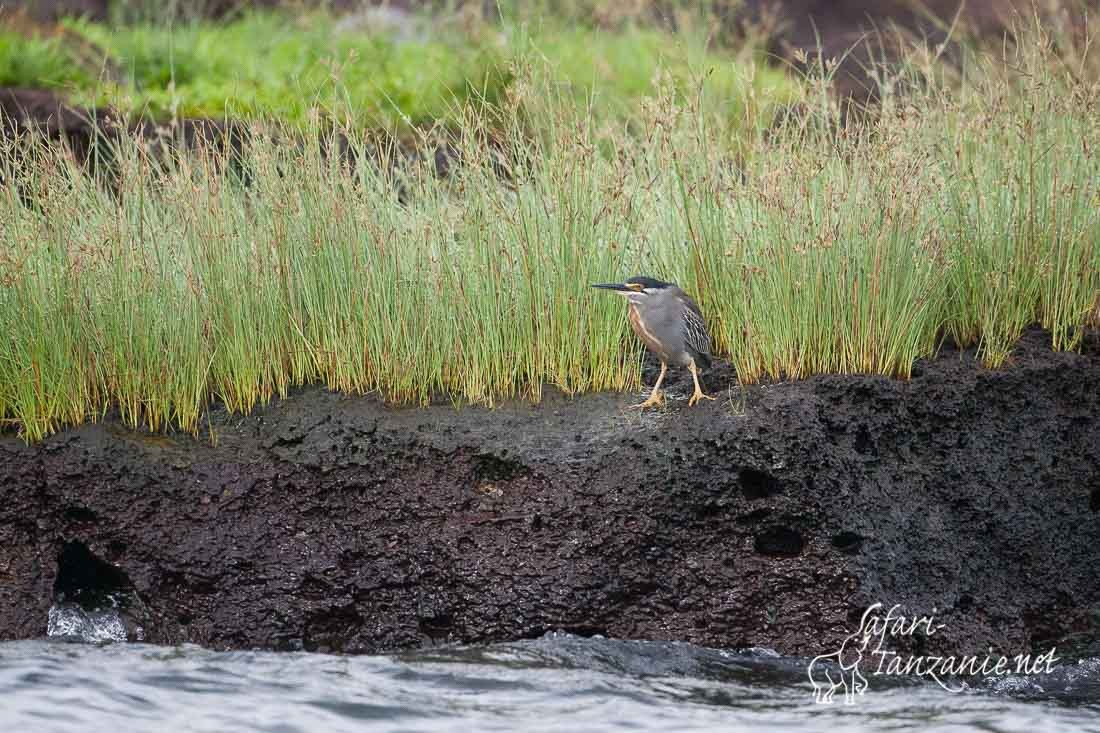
558	683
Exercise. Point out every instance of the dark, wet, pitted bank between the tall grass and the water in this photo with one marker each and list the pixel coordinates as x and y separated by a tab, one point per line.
768	518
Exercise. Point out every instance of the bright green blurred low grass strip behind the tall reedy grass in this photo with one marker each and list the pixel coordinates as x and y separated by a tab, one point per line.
298	68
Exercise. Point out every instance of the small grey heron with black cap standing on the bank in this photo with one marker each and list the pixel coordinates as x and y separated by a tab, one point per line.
670	325
